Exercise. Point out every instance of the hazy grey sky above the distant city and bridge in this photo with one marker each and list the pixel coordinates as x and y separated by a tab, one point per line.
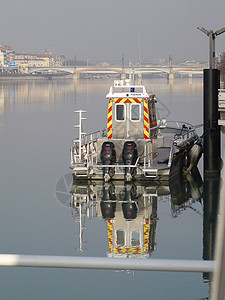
105	29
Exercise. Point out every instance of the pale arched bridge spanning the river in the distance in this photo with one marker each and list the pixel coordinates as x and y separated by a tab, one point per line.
130	71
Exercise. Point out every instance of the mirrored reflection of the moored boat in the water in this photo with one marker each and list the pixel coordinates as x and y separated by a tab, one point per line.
130	210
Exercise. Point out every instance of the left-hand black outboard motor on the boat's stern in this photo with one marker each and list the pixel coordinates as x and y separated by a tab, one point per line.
108	157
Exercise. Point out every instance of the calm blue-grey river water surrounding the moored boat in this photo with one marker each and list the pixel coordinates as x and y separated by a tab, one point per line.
36	130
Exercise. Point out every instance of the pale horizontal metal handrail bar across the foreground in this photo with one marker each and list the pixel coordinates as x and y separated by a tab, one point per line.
43	261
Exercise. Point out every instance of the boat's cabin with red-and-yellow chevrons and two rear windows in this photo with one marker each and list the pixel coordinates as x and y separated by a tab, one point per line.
131	111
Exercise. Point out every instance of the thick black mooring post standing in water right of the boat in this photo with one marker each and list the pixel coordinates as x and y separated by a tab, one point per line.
212	151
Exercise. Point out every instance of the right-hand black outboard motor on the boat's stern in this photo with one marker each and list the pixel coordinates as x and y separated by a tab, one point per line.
129	156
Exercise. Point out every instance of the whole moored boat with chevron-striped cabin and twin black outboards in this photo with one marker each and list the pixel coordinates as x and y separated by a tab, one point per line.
134	146
